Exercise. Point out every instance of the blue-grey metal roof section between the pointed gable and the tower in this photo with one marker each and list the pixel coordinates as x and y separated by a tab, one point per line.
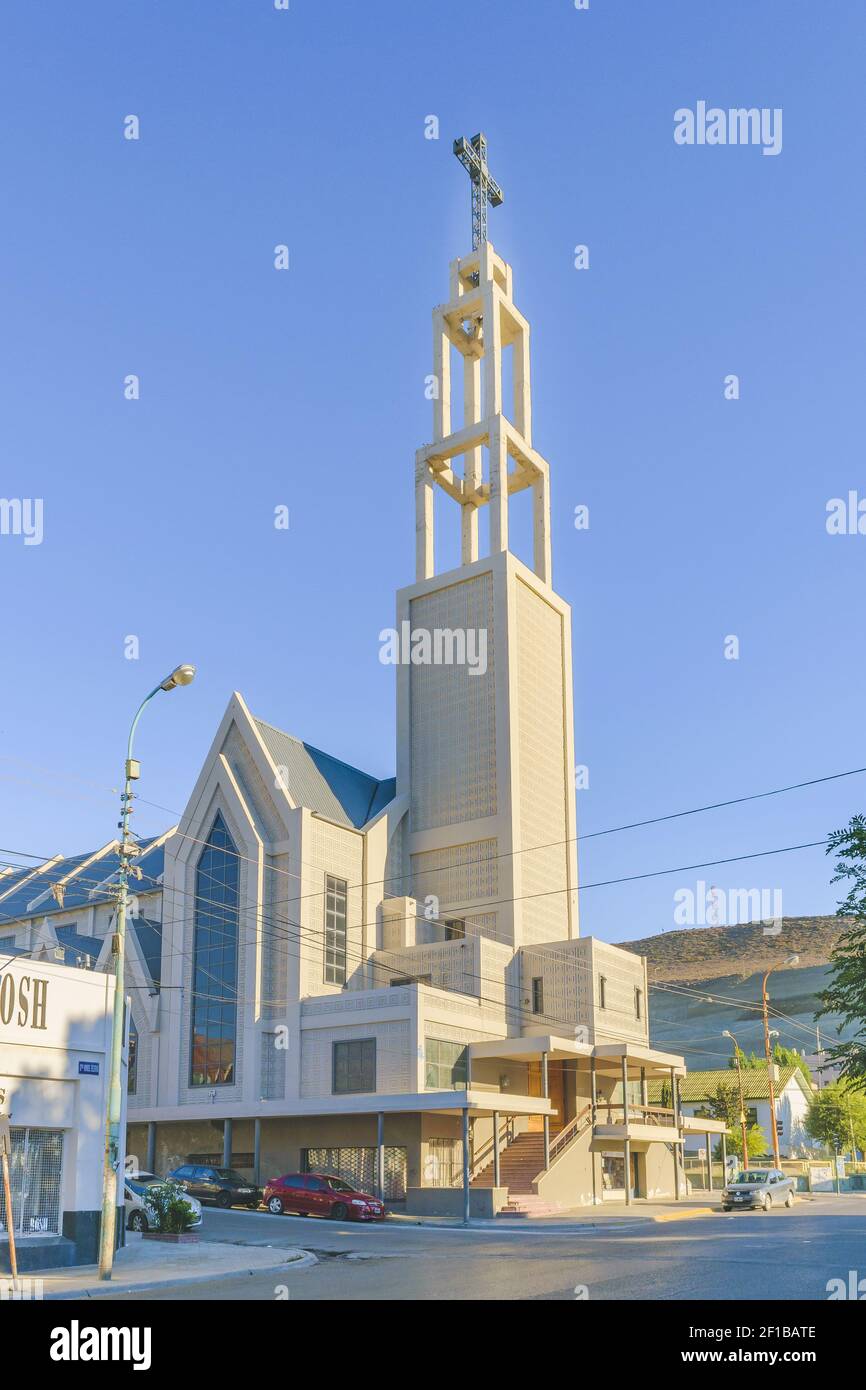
323	783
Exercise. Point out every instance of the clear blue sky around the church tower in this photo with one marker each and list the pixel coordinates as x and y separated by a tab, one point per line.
307	389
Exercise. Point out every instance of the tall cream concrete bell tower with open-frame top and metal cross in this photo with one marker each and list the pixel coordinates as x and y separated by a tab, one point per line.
486	753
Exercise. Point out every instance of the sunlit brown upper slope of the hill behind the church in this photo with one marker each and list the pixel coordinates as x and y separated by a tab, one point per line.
707	953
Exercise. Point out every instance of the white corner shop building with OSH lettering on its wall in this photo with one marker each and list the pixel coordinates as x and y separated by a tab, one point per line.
55	1043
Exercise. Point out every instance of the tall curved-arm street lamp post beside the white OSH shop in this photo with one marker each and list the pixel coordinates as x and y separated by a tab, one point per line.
181	676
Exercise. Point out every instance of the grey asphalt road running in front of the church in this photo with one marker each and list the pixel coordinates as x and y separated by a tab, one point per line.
747	1256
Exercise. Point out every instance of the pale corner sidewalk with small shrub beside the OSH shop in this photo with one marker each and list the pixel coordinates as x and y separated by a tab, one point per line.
152	1264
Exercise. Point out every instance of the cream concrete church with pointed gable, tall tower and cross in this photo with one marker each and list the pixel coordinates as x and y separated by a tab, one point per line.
386	979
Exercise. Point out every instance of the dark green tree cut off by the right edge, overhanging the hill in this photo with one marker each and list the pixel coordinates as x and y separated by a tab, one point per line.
846	995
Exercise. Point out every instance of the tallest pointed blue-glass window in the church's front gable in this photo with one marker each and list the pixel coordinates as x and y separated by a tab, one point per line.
215	975
